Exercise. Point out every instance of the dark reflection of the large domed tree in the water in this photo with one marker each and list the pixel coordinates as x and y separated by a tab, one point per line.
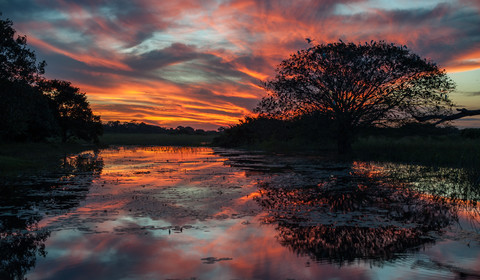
353	216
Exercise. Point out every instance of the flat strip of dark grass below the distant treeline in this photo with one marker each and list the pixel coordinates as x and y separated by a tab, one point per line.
155	139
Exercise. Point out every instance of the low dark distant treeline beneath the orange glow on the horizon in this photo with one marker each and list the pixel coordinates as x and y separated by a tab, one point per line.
141	127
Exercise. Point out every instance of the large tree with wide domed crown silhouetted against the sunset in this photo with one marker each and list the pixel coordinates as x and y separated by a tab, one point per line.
357	85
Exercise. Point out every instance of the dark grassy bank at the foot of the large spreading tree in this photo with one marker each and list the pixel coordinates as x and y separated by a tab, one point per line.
440	150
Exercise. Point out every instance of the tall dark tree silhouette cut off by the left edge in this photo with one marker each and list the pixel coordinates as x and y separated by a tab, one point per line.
24	111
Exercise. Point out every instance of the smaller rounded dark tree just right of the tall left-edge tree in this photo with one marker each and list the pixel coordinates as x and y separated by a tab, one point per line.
72	110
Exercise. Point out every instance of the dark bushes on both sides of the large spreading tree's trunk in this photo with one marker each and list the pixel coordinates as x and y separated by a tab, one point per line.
316	131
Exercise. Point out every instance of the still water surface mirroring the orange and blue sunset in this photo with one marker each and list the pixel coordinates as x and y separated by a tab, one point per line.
202	213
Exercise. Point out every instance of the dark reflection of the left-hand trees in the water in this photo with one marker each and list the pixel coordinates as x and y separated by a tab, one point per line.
25	203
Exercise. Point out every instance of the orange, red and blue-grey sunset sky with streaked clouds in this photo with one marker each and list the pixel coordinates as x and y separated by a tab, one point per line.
199	63
